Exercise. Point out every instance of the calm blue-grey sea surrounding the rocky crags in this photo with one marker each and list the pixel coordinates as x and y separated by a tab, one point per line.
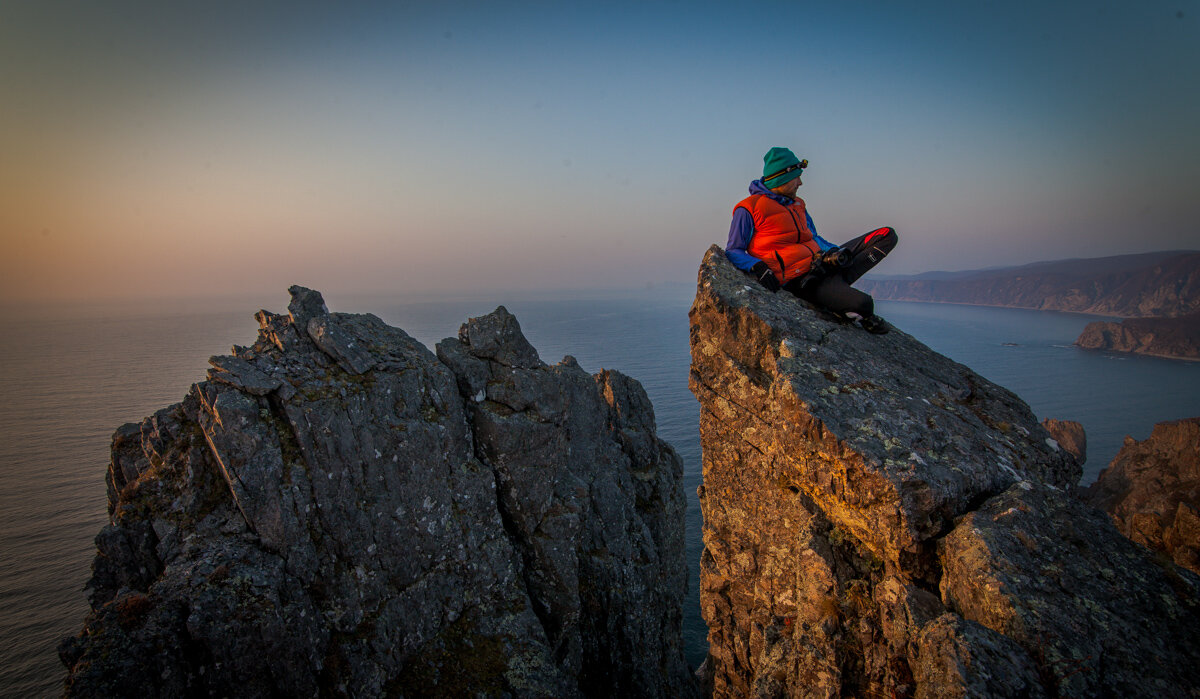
68	380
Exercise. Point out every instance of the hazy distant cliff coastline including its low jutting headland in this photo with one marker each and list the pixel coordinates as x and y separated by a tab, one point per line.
1161	291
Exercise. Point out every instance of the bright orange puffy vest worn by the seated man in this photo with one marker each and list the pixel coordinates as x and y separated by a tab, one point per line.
782	237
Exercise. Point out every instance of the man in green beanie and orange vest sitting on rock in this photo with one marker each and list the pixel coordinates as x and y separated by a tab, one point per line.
773	238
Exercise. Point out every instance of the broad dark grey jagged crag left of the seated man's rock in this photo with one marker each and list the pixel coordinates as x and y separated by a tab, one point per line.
340	512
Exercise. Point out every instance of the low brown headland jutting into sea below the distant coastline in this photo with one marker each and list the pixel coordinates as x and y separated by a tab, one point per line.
1174	338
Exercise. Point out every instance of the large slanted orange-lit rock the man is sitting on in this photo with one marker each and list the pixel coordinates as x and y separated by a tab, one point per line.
883	522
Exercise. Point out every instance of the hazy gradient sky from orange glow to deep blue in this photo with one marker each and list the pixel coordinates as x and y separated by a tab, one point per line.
163	150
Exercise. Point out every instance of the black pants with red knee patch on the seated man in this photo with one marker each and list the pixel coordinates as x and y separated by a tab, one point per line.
833	291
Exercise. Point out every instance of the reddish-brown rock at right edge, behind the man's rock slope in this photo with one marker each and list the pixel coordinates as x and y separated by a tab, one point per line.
1153	492
